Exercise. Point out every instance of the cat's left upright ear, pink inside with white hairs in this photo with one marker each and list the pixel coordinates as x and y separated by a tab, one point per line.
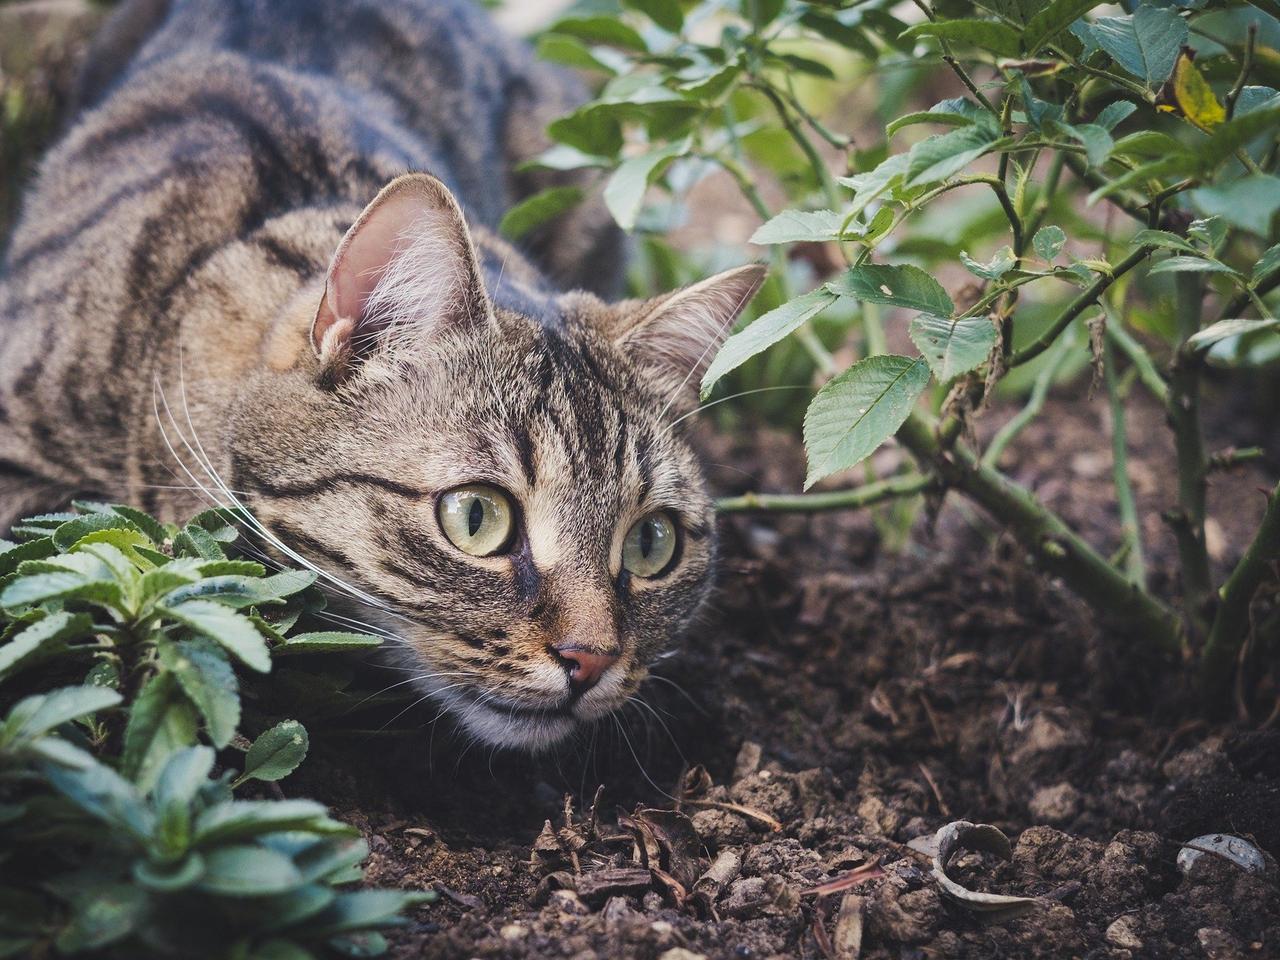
405	272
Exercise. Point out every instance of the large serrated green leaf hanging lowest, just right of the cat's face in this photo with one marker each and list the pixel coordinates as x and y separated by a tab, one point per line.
860	410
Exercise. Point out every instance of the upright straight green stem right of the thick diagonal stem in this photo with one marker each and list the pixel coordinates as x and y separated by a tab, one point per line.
1188	519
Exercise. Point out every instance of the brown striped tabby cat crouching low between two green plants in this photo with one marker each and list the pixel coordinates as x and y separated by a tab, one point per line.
262	269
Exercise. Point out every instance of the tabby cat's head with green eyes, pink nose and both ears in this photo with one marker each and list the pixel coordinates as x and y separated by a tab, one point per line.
502	487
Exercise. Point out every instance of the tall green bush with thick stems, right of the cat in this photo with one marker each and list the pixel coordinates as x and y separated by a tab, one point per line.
1167	116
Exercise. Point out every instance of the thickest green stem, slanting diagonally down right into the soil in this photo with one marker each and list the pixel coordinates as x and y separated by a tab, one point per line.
1052	543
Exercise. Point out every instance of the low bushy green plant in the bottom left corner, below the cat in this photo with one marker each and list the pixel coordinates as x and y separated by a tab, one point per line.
118	833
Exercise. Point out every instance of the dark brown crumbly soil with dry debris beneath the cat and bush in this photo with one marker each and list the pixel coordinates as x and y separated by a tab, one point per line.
842	703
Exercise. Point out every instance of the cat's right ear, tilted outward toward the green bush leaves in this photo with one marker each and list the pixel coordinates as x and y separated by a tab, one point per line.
675	337
